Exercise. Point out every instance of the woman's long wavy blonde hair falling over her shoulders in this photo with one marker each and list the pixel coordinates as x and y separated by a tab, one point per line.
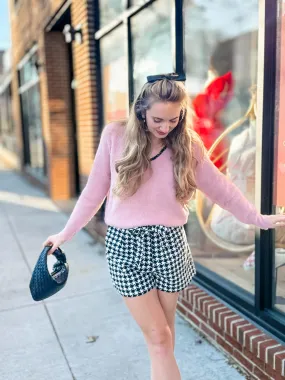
135	161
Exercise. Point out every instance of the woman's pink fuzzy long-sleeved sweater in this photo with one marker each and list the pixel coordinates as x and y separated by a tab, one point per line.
154	202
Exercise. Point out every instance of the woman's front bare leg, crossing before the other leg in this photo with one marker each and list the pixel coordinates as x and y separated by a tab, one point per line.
148	312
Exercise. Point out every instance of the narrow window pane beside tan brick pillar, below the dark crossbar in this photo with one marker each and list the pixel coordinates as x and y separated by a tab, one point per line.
115	76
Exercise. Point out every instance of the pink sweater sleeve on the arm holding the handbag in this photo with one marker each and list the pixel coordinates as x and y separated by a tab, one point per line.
95	190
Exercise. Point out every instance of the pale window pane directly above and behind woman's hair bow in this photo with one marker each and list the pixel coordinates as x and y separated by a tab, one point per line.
152	43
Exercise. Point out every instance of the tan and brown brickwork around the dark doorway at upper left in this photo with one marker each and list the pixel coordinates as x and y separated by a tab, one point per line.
28	20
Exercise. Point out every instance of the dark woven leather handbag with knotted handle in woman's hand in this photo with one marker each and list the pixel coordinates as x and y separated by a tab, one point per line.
44	284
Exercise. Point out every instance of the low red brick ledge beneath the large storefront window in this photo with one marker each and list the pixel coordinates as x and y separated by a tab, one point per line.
253	349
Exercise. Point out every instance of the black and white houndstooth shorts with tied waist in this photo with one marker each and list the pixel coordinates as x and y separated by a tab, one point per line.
143	258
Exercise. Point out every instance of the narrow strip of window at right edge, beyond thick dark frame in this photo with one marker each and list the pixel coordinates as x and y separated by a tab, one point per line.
279	172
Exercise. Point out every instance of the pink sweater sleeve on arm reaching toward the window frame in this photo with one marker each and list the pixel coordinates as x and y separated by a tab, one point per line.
222	191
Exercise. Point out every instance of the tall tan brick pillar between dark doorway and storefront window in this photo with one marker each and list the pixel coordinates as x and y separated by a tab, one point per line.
86	100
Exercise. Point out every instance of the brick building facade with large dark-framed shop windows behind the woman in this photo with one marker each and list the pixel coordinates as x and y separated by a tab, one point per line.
77	65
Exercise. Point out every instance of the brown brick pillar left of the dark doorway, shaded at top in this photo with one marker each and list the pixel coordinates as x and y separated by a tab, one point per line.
57	117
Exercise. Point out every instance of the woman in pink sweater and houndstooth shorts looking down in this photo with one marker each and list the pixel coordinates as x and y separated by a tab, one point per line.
149	168
